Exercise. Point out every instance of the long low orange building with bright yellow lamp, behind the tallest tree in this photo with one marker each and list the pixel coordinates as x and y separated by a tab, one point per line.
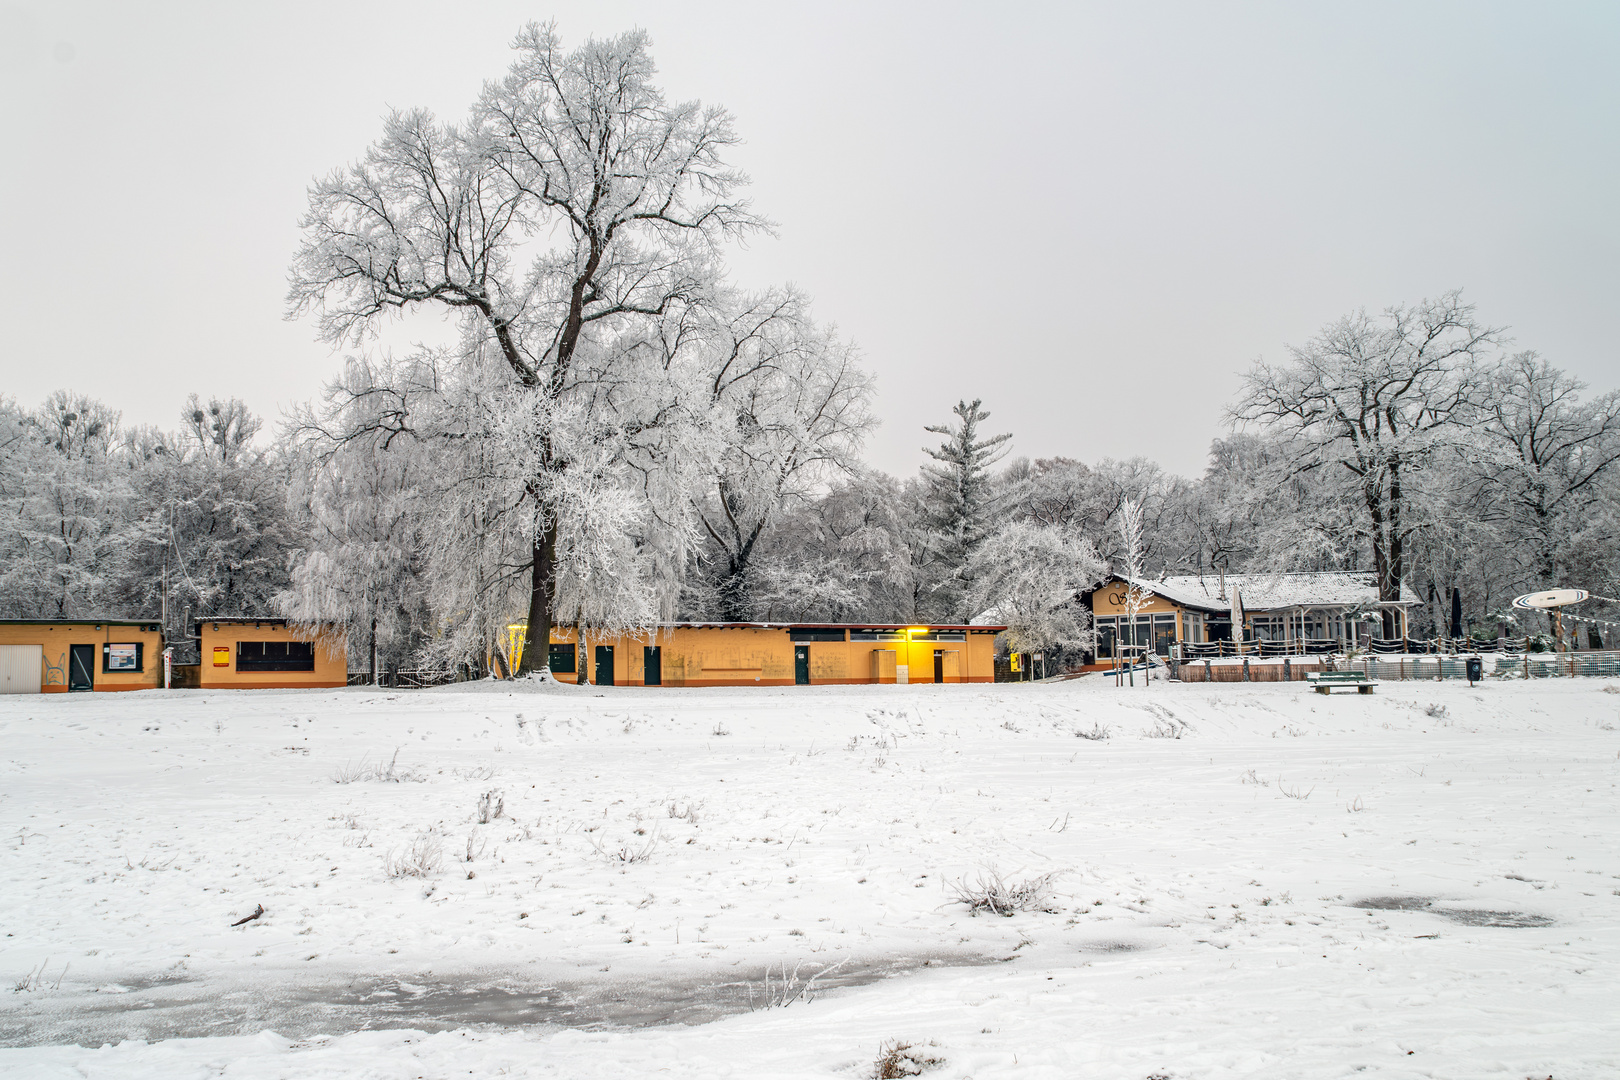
780	655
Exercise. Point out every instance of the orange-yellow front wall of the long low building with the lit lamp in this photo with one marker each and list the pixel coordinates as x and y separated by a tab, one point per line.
748	657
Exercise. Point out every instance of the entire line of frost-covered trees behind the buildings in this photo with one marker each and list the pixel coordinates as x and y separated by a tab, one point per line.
623	438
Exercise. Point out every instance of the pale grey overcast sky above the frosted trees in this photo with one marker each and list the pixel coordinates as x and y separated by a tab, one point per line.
1091	216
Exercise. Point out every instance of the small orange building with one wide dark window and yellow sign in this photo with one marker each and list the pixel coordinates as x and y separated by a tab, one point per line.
266	653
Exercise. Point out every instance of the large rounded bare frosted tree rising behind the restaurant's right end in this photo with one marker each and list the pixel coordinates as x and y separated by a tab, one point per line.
1370	404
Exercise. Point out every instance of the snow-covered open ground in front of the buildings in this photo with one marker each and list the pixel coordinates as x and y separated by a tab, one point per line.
657	849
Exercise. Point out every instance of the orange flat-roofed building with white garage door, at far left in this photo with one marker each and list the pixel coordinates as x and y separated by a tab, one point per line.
48	657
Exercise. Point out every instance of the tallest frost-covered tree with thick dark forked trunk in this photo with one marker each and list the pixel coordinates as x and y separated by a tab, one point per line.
565	219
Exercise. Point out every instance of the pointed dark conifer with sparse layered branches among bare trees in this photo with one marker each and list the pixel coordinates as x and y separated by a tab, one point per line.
963	501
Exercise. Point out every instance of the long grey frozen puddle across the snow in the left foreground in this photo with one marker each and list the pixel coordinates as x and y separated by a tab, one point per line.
197	1010
